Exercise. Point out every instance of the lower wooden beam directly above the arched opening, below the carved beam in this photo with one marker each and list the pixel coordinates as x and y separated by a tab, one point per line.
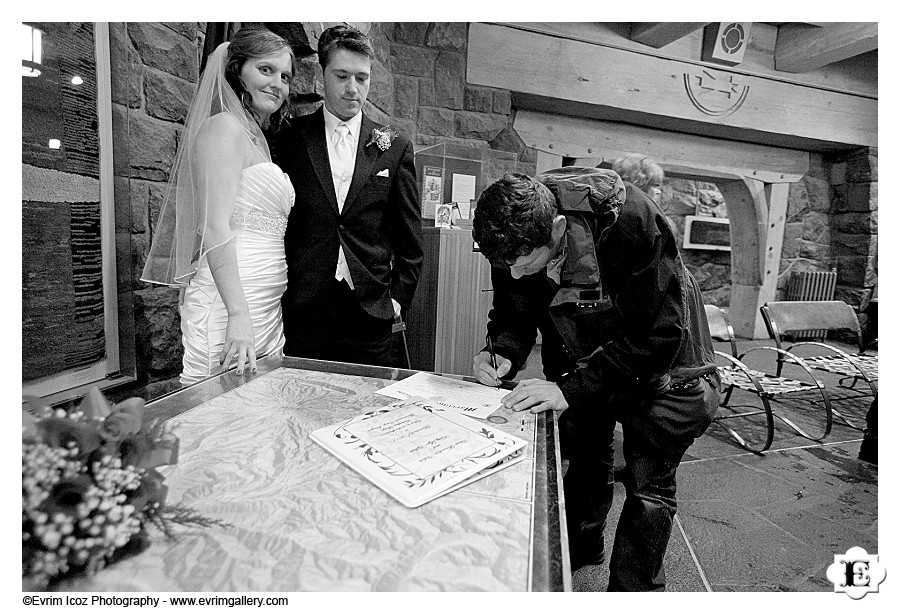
682	154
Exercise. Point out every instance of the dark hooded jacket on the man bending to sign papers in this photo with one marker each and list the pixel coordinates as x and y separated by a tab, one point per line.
627	317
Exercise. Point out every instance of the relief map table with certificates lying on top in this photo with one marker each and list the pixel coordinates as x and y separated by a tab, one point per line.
300	520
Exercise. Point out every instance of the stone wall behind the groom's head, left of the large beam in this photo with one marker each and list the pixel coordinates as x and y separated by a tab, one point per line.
418	86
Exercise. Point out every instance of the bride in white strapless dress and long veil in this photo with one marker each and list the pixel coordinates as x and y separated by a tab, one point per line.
220	236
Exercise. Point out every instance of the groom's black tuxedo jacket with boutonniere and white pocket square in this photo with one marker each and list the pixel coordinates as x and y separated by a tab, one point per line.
380	226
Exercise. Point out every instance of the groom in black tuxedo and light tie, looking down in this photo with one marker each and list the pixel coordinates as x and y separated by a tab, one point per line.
353	241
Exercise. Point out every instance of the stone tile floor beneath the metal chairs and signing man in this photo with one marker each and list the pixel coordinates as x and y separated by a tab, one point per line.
770	522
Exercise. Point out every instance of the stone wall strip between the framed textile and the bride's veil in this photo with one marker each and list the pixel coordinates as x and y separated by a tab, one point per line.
155	68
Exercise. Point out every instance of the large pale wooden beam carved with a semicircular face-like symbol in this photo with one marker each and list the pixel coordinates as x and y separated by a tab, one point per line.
590	80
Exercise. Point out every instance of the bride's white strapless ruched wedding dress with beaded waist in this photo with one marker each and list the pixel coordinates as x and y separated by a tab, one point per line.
264	199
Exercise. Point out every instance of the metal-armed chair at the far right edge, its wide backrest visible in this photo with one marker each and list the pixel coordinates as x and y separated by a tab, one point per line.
783	317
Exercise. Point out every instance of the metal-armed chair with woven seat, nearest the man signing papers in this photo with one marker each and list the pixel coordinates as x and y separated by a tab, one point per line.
766	387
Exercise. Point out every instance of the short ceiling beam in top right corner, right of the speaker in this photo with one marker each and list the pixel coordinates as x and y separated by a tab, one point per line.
800	48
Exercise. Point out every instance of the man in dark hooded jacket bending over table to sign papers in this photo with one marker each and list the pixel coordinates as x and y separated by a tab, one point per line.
592	263
